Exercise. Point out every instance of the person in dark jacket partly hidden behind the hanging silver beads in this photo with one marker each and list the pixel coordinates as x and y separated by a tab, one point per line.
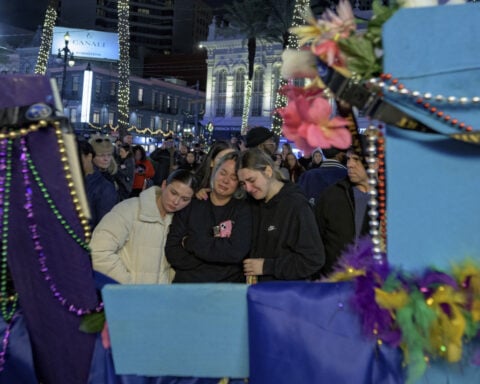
341	212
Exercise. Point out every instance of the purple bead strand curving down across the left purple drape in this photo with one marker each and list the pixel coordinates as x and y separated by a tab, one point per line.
42	258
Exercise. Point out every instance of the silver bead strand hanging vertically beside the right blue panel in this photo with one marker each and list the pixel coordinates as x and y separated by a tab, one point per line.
371	135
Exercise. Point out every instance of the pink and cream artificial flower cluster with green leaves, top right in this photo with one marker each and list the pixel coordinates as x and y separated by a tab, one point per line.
336	40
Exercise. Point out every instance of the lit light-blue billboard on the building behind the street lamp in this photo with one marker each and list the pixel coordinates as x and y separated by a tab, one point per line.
87	44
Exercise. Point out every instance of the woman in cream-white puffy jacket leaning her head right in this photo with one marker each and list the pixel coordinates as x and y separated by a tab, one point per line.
128	244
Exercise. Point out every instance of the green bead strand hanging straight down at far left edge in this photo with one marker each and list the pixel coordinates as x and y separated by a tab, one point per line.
8	305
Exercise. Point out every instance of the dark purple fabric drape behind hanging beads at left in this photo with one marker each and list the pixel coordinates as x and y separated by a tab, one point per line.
62	354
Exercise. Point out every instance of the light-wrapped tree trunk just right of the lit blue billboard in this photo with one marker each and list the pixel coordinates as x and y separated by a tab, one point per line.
124	66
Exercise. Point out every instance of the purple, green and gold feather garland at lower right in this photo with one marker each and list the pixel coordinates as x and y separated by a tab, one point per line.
430	315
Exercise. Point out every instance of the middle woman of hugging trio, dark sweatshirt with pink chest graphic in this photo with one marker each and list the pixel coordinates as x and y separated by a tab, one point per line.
209	239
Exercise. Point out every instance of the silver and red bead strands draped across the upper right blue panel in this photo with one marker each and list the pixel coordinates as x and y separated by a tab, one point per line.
427	100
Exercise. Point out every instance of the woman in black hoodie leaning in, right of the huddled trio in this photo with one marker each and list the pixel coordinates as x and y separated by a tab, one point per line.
286	242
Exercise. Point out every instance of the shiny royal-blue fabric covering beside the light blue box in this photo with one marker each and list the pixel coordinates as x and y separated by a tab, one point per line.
306	333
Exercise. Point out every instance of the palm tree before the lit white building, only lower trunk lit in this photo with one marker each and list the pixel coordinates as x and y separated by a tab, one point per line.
249	18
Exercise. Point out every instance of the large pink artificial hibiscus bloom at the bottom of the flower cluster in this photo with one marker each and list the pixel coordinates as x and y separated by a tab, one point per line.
306	121
